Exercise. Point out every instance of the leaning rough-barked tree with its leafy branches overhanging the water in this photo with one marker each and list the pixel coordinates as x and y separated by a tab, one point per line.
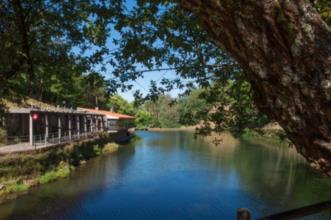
283	47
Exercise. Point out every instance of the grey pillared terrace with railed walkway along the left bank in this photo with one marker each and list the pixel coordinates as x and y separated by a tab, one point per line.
34	128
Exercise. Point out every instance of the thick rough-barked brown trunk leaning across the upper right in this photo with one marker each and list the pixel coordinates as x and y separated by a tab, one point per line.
286	49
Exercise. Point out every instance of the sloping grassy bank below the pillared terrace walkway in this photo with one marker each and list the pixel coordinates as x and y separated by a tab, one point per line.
20	172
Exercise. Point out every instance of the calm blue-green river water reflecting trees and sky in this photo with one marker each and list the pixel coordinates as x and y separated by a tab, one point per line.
170	175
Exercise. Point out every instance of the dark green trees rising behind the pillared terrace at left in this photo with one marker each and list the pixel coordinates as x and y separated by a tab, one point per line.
50	48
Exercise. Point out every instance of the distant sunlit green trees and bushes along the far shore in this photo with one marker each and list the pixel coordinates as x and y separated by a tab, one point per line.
218	108
